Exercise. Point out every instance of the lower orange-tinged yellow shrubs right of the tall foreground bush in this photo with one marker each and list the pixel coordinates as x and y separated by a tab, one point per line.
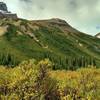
83	84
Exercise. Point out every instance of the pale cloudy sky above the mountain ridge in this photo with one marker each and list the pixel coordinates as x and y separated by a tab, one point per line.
84	15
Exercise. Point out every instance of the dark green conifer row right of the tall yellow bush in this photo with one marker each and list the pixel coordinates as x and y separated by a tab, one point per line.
71	63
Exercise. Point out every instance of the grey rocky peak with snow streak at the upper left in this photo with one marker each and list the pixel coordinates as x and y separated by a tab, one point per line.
4	13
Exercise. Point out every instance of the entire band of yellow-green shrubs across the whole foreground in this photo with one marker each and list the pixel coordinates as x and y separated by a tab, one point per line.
36	81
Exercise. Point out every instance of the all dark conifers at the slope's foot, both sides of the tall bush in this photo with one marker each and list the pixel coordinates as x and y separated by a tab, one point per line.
68	63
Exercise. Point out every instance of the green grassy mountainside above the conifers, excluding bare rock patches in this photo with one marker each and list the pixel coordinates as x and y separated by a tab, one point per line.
59	44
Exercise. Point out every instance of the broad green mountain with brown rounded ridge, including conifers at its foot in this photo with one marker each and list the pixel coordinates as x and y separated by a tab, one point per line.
54	39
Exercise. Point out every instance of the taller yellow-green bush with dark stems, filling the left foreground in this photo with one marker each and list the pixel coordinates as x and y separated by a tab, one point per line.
28	81
